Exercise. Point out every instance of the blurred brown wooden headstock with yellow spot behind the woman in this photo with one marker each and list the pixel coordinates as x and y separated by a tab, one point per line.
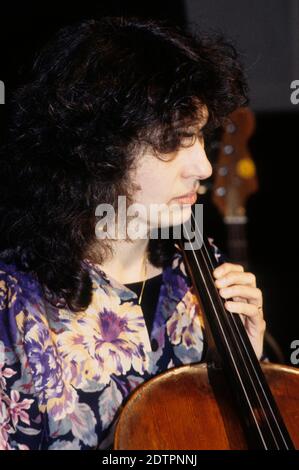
235	181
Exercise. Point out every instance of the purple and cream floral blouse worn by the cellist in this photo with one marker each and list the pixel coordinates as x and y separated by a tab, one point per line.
64	375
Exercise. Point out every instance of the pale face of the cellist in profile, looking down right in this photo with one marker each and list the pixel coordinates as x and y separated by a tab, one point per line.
162	182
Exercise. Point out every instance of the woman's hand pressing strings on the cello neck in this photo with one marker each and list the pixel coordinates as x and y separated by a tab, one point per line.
247	300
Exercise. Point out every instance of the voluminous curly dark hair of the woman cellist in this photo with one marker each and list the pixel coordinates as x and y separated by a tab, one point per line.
97	93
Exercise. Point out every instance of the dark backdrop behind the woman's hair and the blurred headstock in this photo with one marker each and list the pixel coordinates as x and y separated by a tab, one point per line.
267	35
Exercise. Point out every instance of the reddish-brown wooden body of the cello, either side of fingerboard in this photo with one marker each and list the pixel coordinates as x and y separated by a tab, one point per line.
179	409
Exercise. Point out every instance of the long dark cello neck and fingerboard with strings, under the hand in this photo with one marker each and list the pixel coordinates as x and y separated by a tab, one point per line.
257	408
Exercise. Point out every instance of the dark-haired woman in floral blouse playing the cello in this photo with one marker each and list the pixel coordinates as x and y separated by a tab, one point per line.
115	107
